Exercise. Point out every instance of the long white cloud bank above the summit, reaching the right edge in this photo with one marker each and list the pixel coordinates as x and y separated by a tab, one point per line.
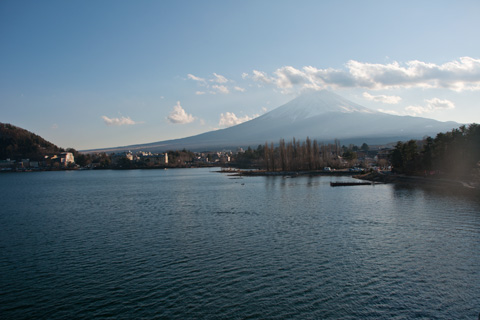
458	75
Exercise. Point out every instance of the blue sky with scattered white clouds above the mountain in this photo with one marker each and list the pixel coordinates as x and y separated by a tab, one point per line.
94	74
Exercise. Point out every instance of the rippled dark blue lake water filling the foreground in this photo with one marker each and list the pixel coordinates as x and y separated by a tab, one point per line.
193	244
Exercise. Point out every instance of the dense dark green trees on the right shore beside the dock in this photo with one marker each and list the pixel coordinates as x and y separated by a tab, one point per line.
455	153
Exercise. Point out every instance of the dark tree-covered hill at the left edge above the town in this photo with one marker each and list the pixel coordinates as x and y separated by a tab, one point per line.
17	143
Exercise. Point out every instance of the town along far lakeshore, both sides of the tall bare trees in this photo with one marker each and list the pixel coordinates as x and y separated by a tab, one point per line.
348	157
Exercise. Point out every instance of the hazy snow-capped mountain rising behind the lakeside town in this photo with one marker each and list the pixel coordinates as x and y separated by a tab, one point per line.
320	115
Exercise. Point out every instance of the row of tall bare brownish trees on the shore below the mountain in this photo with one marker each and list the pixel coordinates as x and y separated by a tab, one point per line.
297	155
